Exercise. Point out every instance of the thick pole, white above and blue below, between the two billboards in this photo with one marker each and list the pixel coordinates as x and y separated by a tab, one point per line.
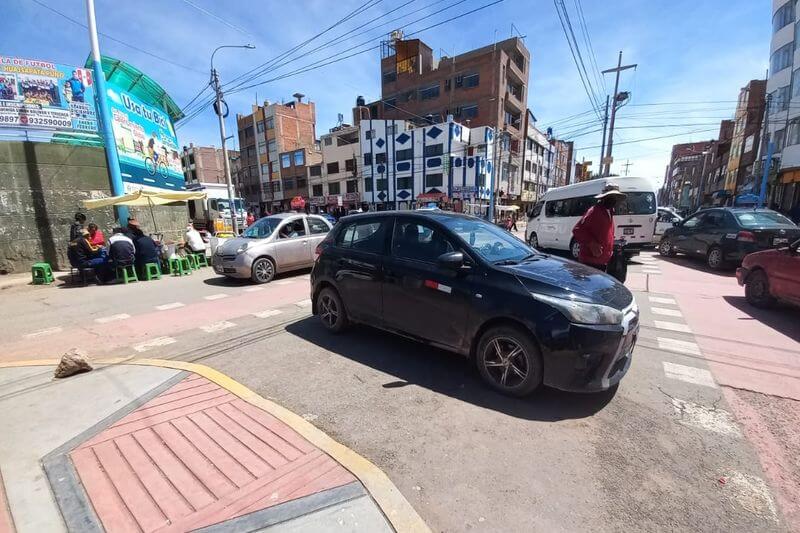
104	116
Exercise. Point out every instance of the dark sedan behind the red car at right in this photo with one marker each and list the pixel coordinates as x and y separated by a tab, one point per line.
724	236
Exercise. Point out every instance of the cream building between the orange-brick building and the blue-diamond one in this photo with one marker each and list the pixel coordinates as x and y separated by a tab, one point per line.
339	183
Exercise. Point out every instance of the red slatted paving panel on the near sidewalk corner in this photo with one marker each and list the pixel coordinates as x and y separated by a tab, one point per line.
194	456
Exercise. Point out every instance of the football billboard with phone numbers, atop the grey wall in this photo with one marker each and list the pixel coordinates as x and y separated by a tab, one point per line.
42	95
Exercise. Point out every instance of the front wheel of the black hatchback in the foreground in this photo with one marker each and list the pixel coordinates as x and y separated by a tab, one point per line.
509	361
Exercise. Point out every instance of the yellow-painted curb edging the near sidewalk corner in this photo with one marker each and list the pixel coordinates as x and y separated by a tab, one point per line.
402	516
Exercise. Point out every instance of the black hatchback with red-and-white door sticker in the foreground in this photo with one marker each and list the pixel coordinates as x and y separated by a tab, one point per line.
460	283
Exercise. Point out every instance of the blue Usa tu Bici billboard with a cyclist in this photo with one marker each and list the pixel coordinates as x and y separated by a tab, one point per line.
146	143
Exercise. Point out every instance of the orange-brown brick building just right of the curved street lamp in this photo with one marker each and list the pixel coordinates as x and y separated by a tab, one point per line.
270	130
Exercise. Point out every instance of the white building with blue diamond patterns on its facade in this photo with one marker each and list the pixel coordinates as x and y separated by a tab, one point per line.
406	166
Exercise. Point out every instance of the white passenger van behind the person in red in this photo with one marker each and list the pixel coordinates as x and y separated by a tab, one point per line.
551	220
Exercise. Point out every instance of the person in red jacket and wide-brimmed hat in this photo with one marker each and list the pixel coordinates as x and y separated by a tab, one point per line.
595	230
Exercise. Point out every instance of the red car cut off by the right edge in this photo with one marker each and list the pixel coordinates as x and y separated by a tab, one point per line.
771	275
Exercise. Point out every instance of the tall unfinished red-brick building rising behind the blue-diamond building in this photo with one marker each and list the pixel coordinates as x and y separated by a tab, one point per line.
483	87
